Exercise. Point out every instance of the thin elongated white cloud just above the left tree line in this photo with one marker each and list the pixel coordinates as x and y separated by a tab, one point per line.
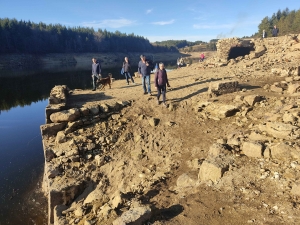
115	23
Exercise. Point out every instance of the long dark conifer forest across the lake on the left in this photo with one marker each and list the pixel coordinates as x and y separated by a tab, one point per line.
38	38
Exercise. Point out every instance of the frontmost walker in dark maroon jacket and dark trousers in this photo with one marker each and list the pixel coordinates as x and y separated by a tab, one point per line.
161	80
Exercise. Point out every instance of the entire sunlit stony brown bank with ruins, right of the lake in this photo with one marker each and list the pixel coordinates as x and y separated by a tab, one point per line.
226	150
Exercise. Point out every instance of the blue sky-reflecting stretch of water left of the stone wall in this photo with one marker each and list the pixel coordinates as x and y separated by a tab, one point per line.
21	160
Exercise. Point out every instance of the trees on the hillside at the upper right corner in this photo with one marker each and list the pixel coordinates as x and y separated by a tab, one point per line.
285	20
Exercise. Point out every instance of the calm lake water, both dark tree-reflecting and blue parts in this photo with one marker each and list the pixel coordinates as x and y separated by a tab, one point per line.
23	98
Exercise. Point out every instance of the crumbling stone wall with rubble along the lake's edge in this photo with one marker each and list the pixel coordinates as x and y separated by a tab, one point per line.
61	183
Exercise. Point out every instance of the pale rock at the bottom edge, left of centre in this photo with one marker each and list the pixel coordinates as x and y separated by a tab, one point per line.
134	216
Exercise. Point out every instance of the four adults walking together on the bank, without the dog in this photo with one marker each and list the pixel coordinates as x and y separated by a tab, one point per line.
144	70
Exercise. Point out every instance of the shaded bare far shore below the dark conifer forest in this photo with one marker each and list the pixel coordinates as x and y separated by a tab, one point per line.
77	60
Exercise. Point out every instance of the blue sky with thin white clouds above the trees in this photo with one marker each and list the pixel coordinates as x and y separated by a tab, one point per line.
156	20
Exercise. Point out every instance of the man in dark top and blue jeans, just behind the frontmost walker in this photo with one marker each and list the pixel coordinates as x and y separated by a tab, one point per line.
144	69
